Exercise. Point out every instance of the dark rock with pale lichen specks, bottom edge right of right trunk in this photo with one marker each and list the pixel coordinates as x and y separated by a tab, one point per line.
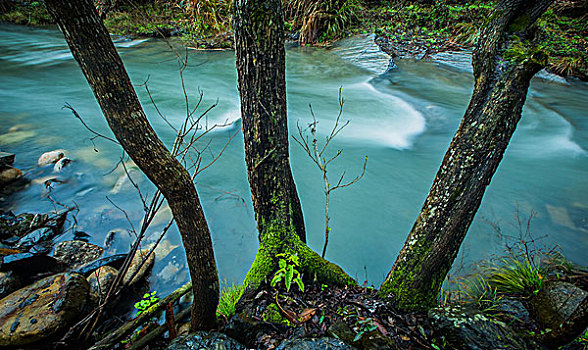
465	328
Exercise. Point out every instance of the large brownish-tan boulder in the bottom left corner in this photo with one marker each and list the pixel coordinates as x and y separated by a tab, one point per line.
42	309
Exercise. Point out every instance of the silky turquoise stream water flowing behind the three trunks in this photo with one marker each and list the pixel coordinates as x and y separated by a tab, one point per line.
403	120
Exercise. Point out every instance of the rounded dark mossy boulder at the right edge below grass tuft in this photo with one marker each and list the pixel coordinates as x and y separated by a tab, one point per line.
555	302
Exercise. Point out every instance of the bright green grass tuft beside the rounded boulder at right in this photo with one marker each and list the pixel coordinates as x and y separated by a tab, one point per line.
514	275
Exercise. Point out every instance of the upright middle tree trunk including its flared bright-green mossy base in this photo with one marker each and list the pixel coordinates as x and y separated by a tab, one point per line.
259	43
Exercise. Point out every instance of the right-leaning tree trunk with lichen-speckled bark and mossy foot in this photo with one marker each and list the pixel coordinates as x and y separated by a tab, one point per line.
504	61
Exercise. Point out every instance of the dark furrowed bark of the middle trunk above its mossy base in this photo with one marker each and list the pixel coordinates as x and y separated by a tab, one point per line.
259	43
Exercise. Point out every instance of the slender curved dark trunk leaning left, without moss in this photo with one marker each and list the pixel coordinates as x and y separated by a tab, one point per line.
92	48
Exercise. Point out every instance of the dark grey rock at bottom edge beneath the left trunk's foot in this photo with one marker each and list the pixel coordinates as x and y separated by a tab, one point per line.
205	340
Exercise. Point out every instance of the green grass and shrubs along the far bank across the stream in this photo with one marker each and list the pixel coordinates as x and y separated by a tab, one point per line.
415	28
